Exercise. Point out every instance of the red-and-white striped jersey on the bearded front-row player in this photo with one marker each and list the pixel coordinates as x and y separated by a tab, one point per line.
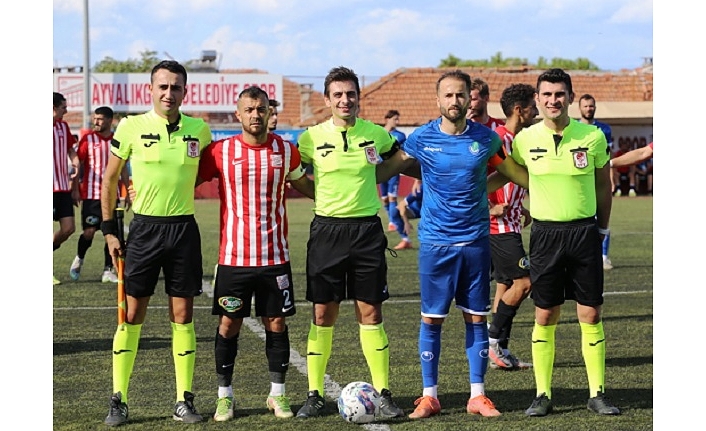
252	187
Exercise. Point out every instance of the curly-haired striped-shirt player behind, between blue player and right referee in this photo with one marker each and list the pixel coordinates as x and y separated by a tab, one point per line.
509	259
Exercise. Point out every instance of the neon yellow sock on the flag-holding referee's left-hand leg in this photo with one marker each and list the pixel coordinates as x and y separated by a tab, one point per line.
125	343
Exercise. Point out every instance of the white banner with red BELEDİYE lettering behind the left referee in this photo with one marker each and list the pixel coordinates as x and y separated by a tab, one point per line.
129	92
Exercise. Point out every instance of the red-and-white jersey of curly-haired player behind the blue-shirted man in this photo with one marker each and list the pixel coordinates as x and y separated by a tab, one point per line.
510	193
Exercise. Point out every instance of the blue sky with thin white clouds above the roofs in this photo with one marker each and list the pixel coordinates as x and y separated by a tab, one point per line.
374	37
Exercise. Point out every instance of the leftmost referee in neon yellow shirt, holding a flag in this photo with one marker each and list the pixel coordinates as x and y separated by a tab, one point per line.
163	146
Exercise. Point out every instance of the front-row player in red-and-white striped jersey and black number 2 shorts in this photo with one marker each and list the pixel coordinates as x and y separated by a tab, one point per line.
253	169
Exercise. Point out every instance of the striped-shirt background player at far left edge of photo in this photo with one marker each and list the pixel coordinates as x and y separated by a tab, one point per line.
65	191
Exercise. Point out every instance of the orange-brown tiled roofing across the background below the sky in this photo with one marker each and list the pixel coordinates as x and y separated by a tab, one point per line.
412	92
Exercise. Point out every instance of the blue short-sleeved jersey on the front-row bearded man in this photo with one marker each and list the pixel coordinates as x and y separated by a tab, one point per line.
454	174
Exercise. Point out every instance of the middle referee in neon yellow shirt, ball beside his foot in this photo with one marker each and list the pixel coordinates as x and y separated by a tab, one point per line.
347	244
